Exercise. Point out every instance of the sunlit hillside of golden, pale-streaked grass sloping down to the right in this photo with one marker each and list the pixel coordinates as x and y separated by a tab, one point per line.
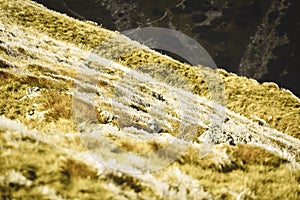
65	101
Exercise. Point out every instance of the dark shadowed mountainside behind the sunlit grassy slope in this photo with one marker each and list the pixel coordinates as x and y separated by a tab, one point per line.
254	38
